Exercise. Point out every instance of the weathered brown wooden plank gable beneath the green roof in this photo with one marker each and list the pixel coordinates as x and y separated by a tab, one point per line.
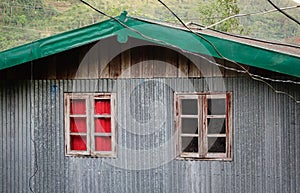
106	59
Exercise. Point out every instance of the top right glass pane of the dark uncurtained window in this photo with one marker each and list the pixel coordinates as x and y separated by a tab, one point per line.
216	106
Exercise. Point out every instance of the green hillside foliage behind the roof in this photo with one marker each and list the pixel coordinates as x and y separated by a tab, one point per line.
23	21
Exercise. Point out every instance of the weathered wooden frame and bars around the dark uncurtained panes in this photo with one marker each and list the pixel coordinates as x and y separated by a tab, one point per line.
203	135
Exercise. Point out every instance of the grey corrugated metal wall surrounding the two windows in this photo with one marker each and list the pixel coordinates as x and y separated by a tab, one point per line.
266	139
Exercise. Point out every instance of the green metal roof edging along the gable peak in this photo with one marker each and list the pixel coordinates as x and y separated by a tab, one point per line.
258	55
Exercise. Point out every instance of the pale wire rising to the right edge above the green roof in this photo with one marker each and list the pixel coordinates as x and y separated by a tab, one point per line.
250	14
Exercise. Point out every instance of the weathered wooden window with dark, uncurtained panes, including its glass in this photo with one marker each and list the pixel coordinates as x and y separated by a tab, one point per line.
203	125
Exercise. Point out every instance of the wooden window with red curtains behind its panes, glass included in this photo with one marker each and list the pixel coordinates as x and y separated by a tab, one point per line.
90	124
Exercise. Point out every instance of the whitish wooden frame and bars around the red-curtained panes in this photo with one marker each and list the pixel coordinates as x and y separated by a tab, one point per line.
90	124
